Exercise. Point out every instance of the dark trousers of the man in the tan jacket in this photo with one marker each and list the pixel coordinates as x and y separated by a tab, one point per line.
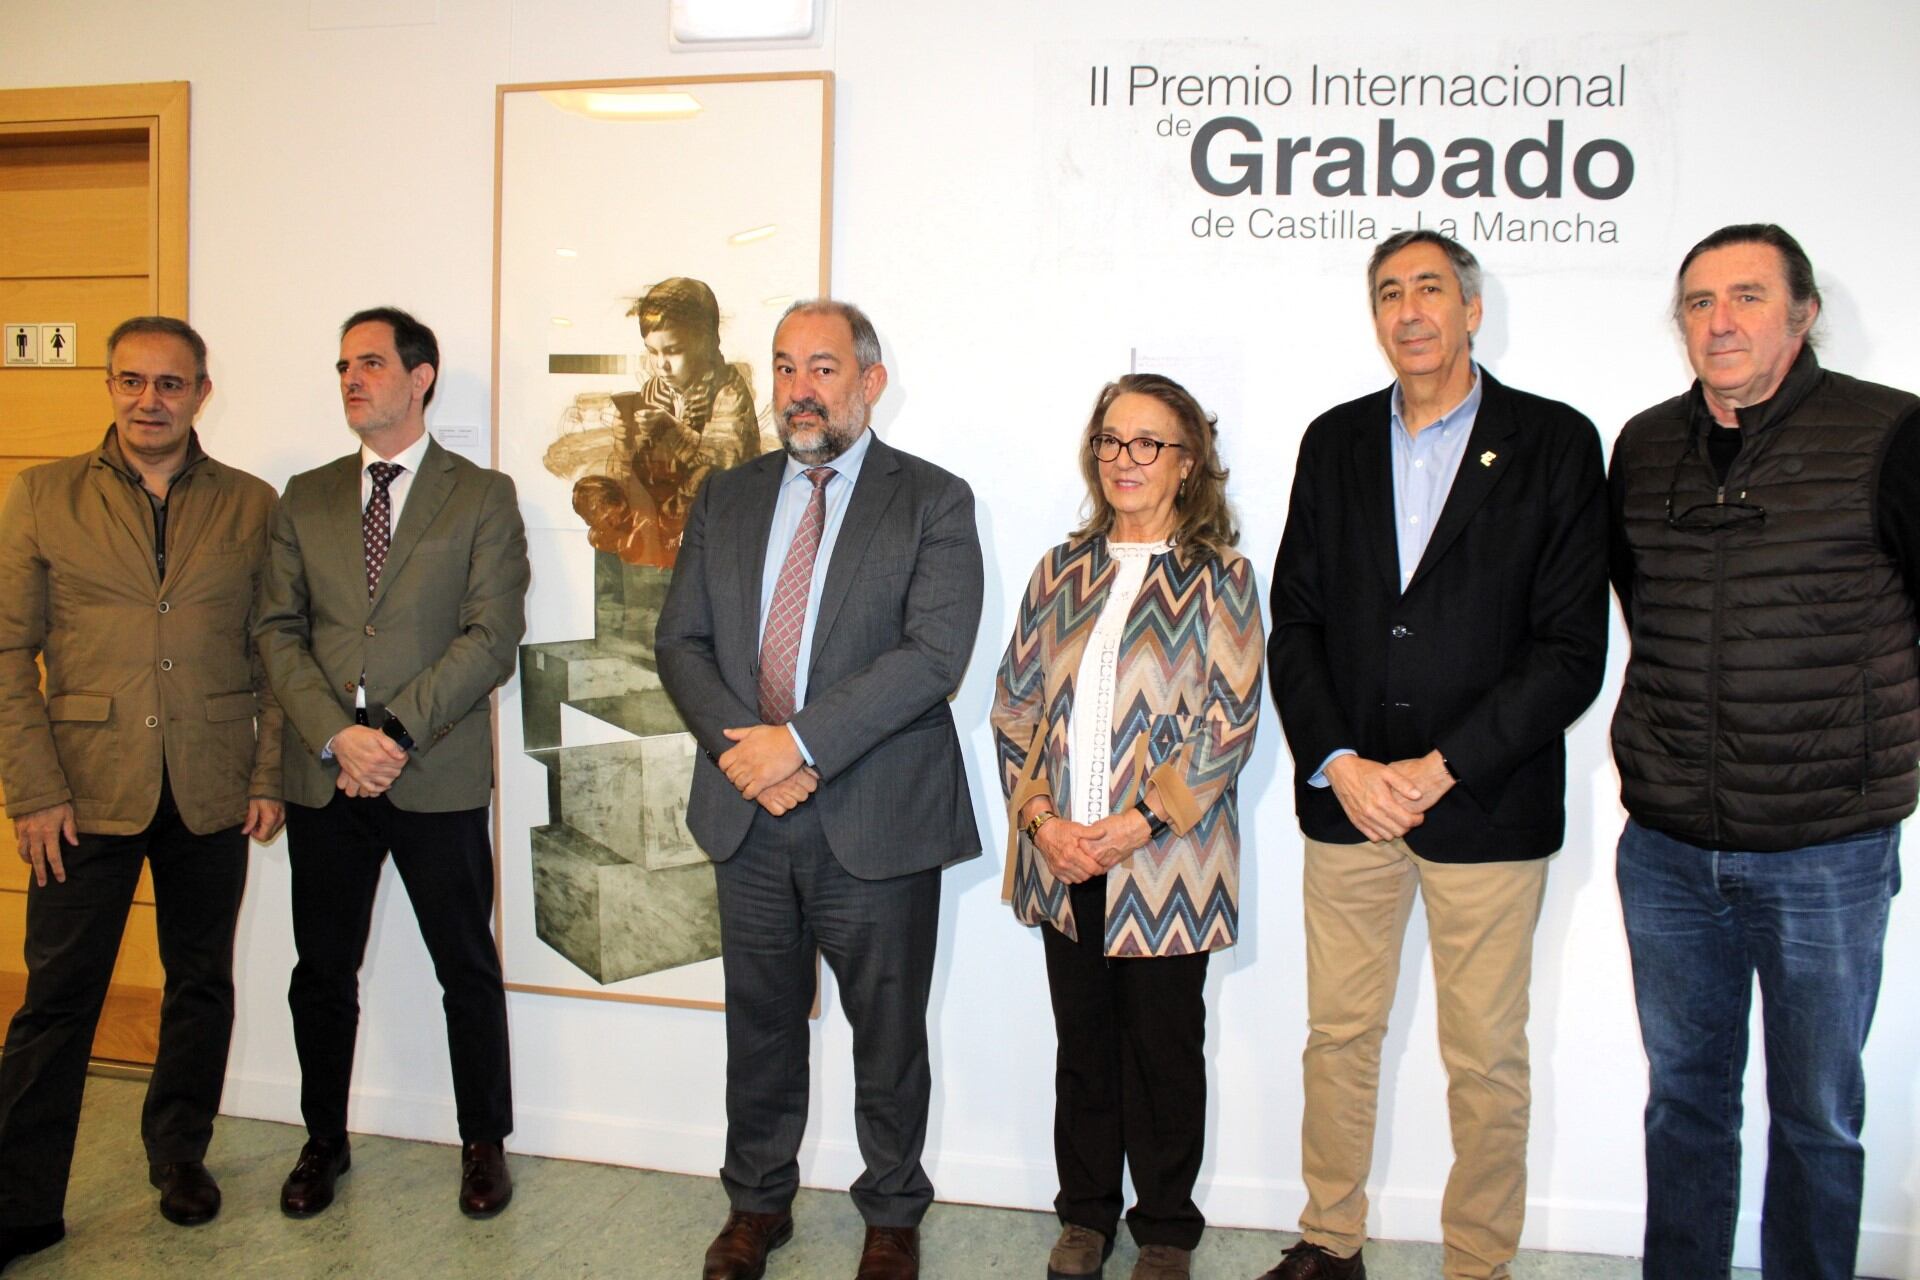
74	936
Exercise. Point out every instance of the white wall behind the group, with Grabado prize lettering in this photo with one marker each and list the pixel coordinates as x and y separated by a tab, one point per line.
339	168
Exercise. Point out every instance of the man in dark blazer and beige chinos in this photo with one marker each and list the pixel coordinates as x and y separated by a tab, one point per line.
1439	621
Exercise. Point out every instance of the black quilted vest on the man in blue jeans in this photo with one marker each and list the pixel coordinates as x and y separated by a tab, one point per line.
1773	694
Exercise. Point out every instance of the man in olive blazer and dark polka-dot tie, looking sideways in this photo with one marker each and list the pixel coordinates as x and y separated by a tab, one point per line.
393	607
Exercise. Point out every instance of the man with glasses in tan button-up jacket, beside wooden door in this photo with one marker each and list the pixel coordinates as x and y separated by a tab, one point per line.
132	575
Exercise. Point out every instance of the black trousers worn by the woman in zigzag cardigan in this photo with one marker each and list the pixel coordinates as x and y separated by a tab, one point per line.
1130	1079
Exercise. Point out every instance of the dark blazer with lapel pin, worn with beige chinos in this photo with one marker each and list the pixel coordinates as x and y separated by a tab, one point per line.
1495	648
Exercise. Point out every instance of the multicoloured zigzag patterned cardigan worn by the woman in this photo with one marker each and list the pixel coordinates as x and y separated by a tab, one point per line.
1186	705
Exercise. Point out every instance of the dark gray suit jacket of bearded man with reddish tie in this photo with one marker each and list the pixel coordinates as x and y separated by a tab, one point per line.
898	617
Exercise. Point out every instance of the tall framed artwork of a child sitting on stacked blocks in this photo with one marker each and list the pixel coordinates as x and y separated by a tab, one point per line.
648	235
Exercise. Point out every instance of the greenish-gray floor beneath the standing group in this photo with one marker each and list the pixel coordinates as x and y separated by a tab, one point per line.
396	1218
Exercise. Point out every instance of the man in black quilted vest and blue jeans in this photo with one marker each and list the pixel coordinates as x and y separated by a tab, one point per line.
1767	554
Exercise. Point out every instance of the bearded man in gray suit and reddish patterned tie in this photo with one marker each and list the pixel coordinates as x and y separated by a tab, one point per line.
821	615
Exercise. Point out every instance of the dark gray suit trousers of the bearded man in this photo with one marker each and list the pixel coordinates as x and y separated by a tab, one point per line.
784	897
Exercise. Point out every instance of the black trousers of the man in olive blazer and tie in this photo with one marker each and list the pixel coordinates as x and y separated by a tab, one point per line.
446	865
